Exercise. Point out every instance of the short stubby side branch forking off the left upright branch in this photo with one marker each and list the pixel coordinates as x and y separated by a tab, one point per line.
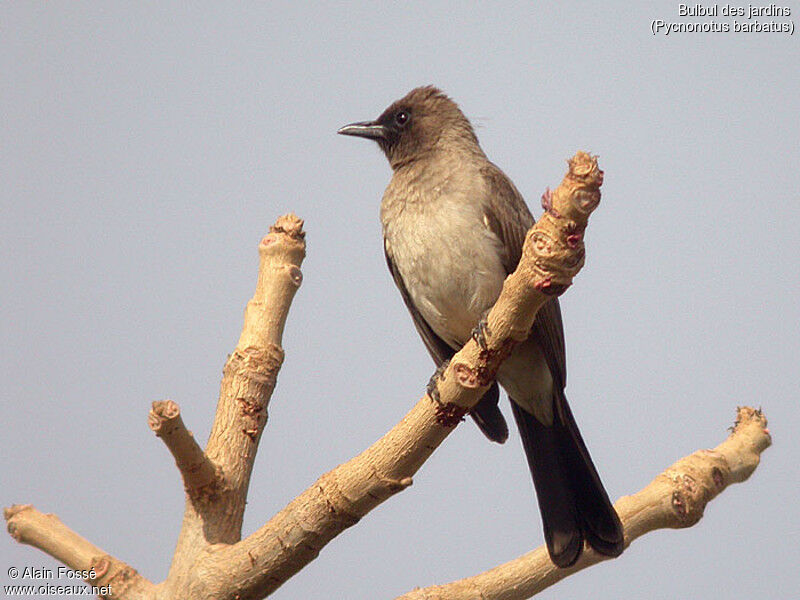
198	472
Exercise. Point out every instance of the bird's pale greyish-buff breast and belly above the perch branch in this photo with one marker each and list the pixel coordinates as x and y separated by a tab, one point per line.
448	258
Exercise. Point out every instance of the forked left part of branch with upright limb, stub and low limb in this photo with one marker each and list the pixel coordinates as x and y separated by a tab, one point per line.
216	480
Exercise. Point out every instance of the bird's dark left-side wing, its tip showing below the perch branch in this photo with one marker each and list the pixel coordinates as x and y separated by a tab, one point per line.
485	413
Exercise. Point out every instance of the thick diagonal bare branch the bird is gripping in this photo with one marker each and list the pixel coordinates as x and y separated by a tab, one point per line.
553	253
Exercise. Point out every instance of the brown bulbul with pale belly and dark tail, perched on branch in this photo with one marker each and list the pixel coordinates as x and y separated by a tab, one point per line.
453	228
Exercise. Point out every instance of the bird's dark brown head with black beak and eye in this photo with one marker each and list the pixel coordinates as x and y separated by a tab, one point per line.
423	121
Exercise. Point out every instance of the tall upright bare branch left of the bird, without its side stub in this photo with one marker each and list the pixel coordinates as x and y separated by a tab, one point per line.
247	384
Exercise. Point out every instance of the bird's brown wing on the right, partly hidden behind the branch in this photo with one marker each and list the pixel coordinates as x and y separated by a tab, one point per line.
508	217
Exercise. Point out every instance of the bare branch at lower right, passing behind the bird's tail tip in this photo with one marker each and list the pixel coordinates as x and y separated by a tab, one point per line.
674	499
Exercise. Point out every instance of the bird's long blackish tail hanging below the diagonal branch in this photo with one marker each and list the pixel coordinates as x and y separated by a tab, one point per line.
573	502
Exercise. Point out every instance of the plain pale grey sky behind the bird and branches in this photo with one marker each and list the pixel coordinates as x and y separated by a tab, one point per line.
147	148
